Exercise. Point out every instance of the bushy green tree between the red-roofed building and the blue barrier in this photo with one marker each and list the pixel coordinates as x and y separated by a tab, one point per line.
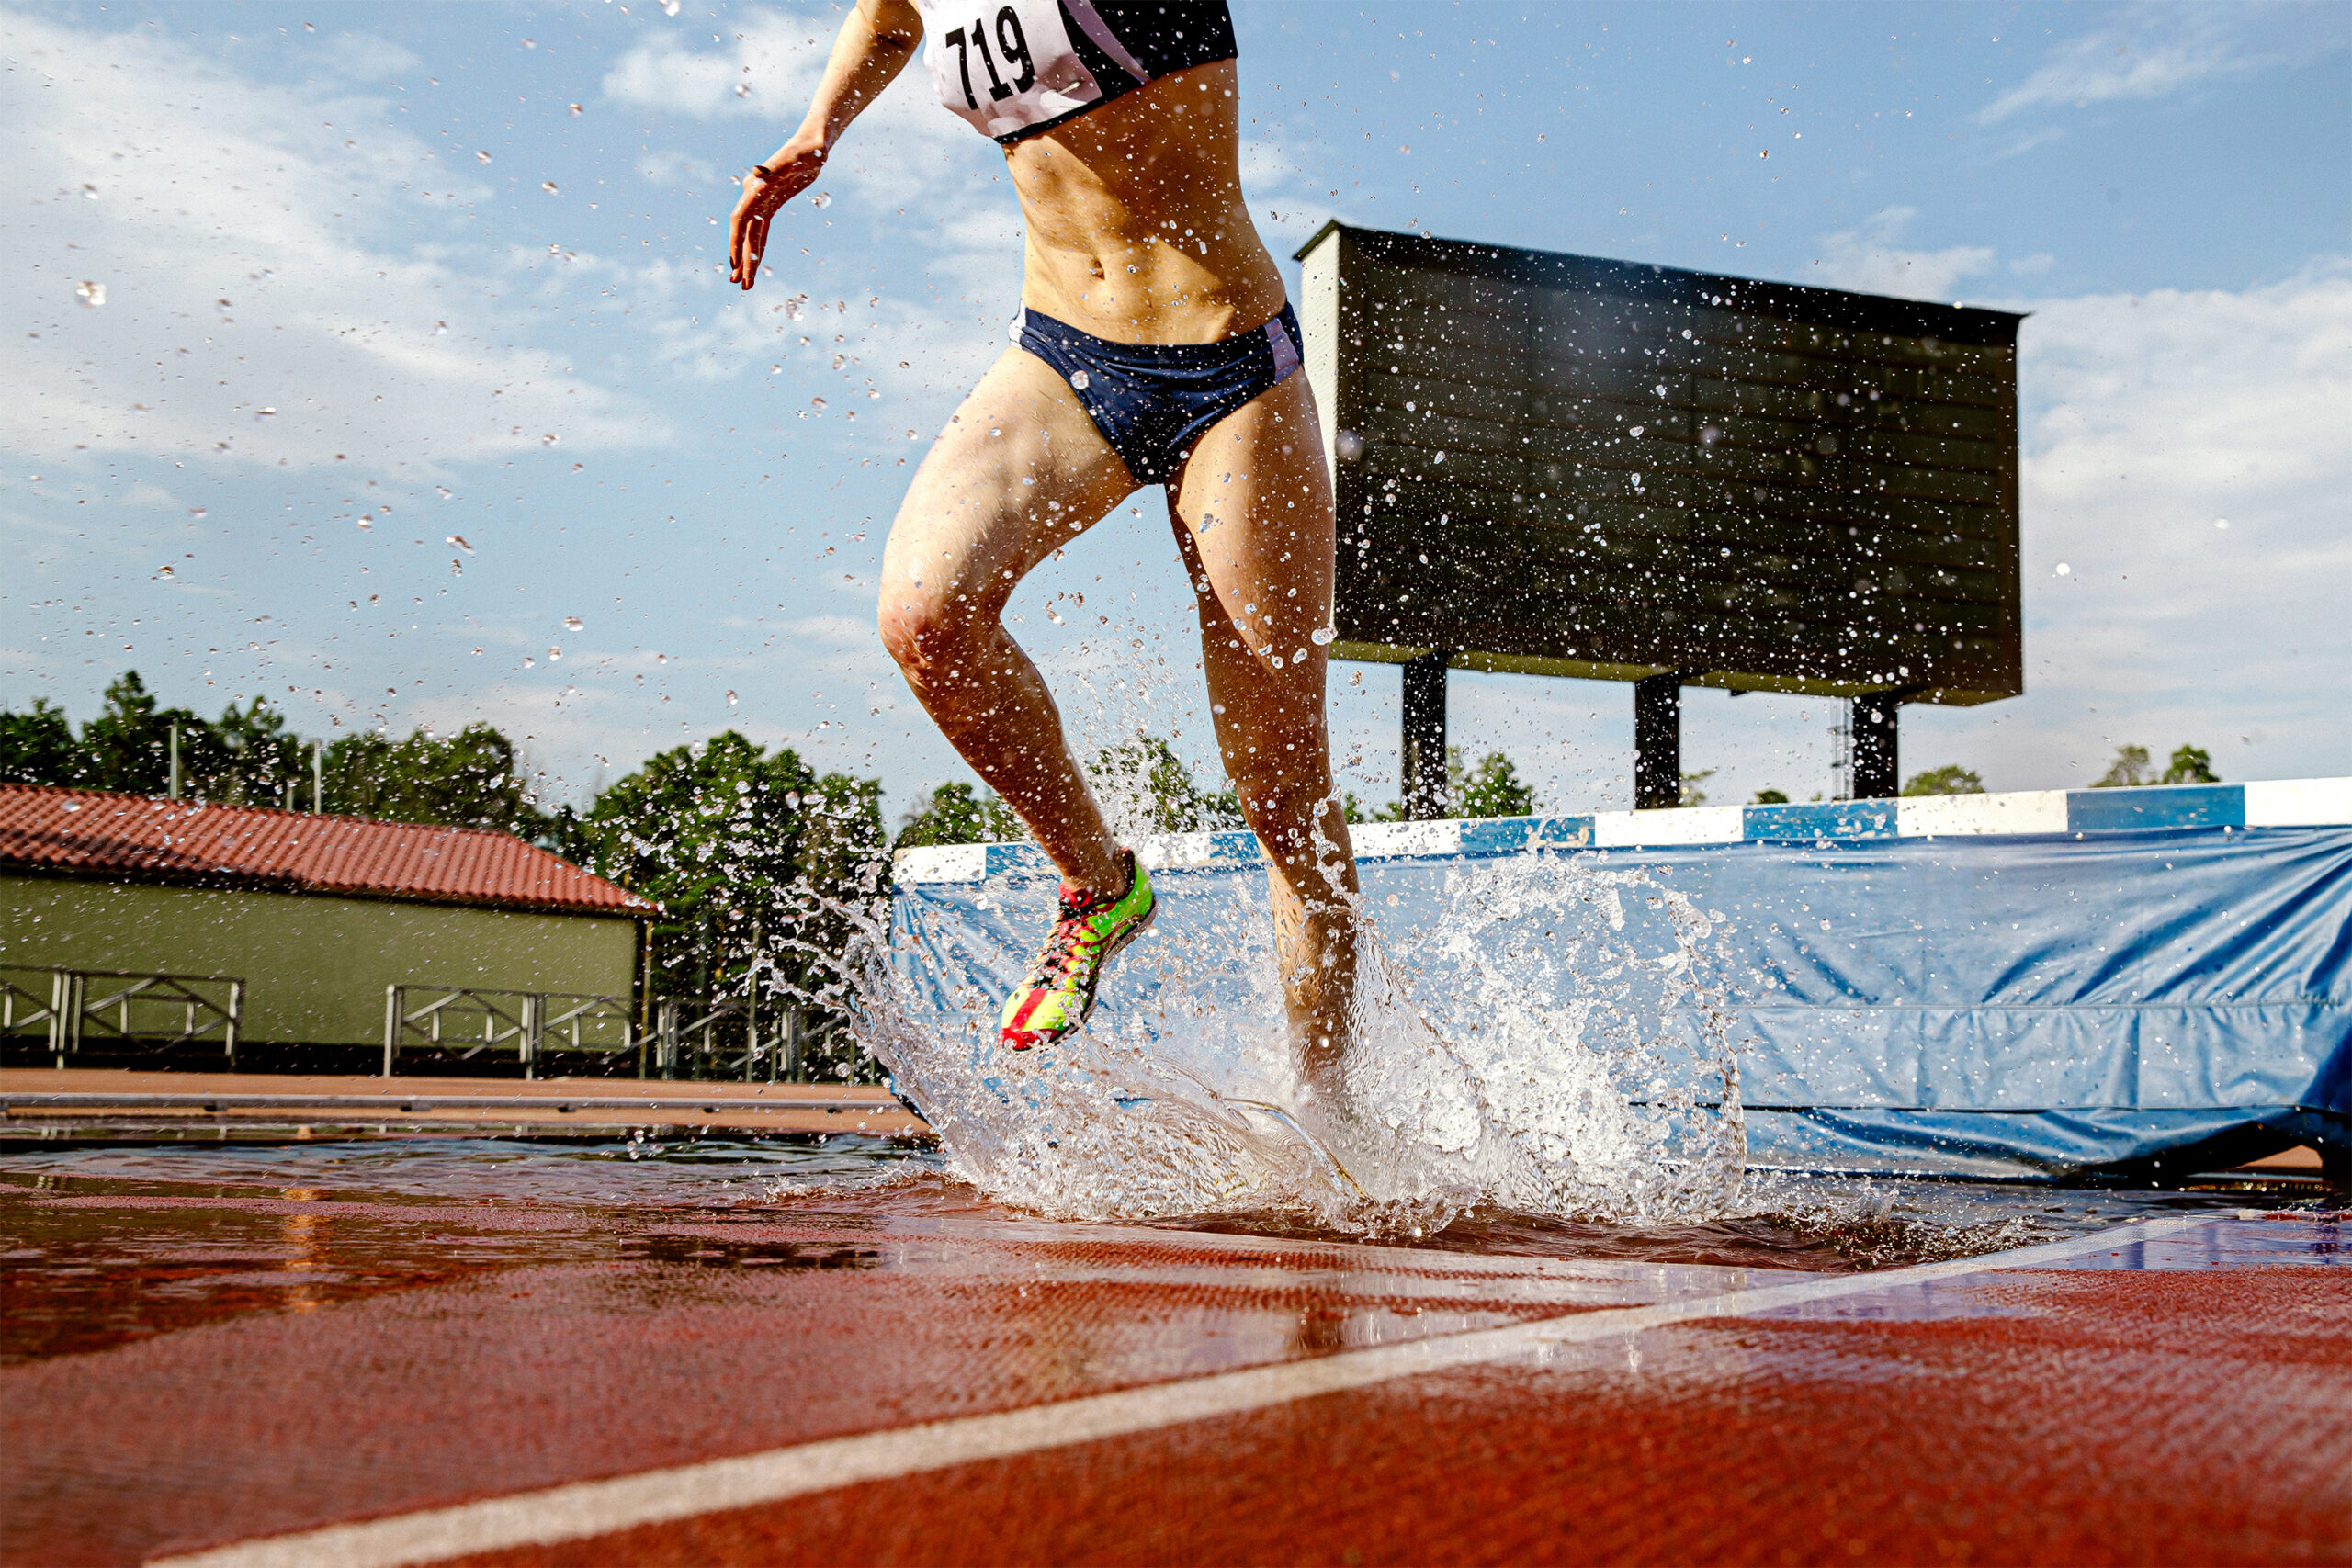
761	869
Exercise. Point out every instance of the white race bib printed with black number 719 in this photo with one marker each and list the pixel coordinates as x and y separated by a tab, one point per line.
1005	65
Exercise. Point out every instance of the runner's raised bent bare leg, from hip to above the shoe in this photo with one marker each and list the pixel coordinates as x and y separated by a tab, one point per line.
1017	474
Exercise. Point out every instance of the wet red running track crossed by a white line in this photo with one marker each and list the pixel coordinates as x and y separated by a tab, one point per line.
944	1383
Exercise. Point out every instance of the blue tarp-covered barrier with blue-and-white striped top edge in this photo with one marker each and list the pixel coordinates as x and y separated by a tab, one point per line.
2040	984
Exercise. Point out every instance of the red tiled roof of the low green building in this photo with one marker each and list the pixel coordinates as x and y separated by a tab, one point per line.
83	833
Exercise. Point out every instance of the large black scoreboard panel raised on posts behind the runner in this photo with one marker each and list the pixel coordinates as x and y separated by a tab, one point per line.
1572	467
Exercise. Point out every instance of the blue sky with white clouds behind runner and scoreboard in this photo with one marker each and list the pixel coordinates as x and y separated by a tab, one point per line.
380	279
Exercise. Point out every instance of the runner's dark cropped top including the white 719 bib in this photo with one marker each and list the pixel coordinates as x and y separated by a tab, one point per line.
1022	67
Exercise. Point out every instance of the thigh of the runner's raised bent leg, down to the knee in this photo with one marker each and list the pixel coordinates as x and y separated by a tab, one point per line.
1017	474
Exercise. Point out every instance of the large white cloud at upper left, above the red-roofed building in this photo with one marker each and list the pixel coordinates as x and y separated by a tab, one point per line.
274	288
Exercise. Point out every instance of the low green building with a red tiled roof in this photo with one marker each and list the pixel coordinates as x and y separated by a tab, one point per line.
326	930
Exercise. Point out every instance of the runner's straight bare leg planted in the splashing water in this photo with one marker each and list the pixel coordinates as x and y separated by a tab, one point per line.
1255	523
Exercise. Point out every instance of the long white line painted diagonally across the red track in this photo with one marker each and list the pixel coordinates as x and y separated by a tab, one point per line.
660	1496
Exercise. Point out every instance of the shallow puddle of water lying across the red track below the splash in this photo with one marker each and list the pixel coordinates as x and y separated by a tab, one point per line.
128	1242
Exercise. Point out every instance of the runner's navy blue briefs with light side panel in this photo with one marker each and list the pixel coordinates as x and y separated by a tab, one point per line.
1154	401
